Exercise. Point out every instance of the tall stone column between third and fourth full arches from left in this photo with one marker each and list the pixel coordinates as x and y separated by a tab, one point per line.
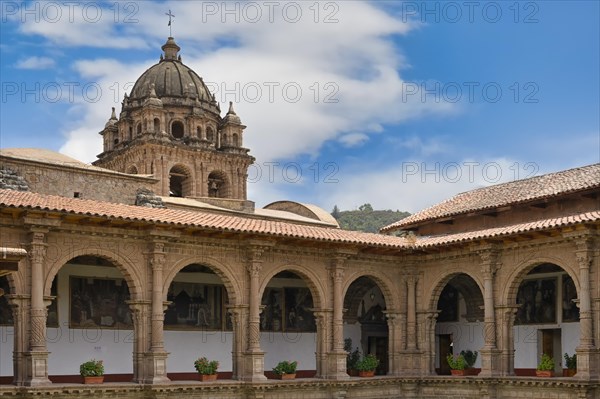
337	354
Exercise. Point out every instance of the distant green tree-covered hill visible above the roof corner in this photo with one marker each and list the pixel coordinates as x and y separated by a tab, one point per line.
366	219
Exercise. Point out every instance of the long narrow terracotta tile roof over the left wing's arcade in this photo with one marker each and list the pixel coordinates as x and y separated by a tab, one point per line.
203	220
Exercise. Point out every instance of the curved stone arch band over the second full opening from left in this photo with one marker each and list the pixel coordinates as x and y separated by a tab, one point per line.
232	285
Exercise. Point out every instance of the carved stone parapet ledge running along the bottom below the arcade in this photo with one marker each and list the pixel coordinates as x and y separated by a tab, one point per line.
384	388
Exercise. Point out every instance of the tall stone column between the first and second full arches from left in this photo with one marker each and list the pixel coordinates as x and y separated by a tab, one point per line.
156	358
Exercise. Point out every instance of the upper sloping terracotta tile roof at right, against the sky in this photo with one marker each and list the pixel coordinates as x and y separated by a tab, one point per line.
534	188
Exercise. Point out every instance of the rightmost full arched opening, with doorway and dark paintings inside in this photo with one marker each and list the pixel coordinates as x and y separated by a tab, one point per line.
547	318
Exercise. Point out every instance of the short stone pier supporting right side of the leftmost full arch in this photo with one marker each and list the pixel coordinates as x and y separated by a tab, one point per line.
141	337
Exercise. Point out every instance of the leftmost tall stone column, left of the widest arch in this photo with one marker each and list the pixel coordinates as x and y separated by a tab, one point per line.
37	356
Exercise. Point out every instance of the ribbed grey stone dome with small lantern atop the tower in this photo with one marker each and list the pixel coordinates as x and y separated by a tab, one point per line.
172	80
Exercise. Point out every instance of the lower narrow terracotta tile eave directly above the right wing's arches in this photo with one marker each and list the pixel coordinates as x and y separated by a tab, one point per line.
513	229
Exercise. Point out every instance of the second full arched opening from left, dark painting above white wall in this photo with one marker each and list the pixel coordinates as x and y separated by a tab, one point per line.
197	323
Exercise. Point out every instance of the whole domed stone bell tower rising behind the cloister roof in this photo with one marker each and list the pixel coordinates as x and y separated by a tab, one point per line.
170	127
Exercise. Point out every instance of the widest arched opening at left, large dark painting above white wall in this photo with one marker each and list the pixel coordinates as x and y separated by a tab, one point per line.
90	319
